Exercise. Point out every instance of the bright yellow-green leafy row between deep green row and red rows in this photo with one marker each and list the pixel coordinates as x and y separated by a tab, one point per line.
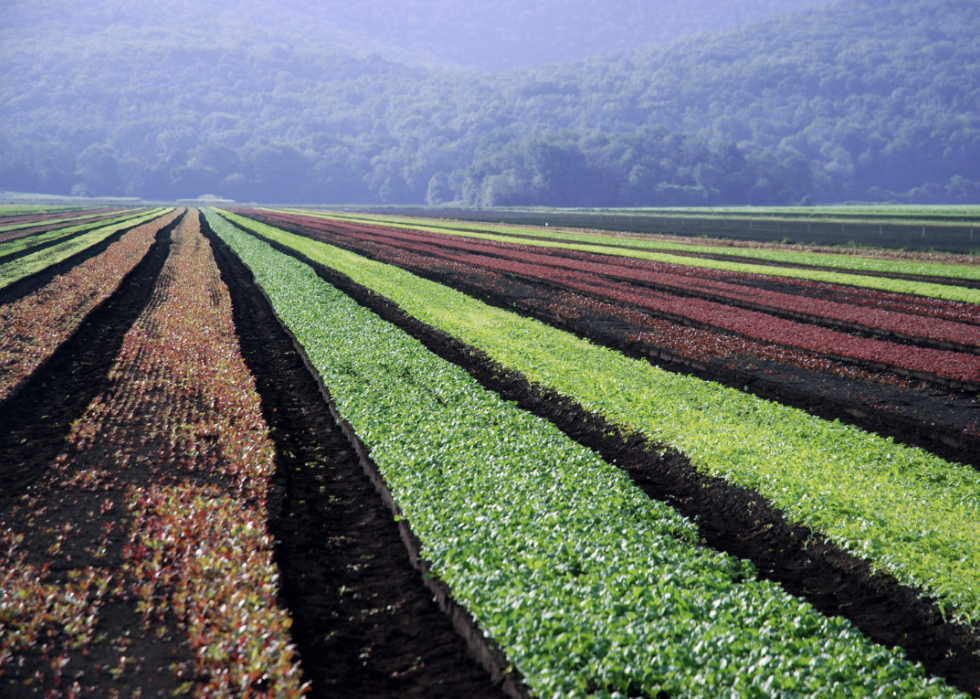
903	509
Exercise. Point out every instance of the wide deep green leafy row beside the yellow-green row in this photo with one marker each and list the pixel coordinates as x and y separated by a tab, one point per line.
591	588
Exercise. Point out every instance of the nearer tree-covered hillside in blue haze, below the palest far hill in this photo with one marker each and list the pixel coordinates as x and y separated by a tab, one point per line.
865	99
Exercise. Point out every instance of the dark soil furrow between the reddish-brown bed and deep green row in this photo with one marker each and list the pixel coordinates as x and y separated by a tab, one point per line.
364	622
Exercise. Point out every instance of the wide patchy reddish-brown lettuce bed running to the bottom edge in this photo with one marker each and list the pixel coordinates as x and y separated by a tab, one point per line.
173	462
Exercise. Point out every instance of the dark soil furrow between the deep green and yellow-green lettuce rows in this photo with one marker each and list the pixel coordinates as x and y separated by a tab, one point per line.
731	519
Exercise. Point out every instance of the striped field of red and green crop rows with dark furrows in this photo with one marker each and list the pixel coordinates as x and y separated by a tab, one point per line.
282	453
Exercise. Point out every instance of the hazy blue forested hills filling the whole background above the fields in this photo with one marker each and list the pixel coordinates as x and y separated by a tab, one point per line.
588	103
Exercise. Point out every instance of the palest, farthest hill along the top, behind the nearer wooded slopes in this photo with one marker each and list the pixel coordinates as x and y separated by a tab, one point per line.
488	36
